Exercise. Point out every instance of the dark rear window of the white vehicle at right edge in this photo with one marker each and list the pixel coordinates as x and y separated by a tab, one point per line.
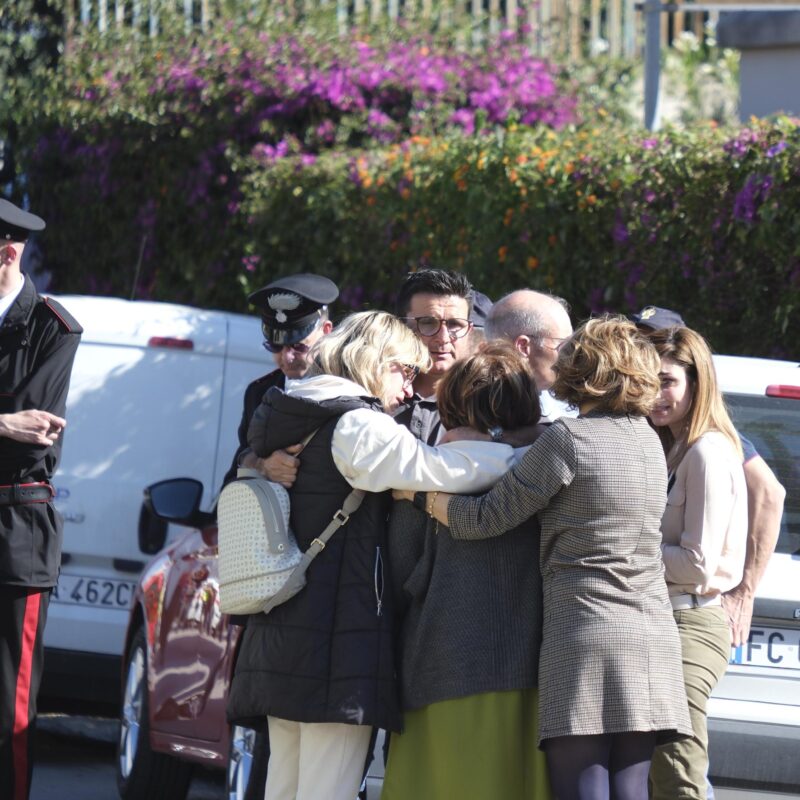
773	425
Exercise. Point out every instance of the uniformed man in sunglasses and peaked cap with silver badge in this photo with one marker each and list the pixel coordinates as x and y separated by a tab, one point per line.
294	315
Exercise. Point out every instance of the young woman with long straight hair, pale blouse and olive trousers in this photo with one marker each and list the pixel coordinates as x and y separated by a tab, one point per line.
704	529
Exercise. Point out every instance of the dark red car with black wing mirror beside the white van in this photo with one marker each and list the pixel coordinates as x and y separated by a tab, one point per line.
177	664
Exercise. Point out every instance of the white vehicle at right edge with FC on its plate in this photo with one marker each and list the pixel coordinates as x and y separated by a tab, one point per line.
754	713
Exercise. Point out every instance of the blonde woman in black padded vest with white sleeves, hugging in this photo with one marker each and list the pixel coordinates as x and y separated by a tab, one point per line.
321	668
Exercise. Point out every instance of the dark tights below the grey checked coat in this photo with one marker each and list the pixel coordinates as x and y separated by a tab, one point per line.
611	766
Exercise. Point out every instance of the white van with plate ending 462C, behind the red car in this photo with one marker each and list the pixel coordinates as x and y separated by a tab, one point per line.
156	392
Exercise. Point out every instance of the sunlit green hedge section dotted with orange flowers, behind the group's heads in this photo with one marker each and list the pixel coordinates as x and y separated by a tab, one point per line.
704	222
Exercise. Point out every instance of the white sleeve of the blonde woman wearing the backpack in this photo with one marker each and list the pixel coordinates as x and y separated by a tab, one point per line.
374	453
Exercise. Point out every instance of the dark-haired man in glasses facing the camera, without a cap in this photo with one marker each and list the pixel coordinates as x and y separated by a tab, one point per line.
437	305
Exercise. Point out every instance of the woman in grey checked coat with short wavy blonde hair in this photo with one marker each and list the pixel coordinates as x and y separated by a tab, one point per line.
608	687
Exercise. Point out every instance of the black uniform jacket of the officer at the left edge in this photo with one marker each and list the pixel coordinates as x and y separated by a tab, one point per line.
38	340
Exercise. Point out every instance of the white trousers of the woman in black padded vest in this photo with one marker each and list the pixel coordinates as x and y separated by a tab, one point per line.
315	760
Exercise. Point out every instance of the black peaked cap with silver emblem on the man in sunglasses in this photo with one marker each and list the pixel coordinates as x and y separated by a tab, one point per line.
291	307
